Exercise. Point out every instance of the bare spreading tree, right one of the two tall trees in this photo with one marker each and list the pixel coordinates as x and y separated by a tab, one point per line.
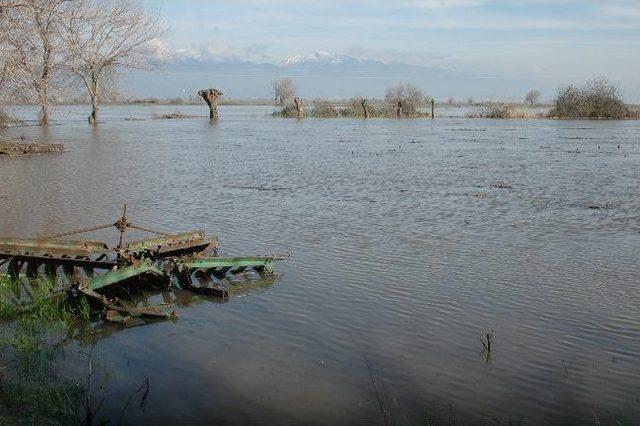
103	36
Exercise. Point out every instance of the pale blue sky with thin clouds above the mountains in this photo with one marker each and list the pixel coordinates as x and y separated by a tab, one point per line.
553	42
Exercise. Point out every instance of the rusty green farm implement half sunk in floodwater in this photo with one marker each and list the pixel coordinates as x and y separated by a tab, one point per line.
188	261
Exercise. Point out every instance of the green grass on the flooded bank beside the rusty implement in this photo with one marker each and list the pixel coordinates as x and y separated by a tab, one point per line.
35	318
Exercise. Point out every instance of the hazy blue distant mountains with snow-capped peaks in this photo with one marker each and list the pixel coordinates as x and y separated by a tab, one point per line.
320	74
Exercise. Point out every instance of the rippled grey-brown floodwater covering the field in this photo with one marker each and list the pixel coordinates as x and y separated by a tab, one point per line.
409	241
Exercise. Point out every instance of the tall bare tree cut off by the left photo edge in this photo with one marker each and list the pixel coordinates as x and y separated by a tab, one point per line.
34	62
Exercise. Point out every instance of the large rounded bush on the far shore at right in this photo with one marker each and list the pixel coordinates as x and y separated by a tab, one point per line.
595	99
